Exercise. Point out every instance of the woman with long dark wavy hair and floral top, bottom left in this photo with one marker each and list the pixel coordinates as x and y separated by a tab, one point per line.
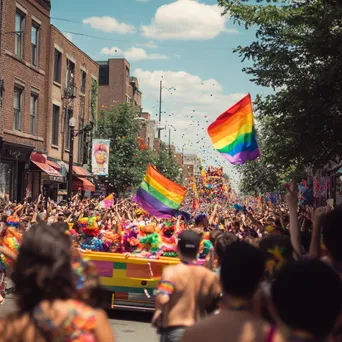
46	291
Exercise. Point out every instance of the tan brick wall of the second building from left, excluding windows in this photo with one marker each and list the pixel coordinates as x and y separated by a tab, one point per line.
80	104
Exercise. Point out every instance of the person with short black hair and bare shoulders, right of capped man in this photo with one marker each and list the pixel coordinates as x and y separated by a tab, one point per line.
241	272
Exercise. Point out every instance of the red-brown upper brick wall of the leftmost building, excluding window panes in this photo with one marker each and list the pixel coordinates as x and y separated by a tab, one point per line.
21	73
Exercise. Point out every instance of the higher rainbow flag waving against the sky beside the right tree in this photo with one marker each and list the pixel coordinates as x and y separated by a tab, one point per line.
233	133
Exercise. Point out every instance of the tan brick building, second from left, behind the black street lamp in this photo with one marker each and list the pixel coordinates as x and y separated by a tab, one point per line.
72	84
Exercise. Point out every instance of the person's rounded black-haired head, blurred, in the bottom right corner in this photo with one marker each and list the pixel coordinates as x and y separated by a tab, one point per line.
306	301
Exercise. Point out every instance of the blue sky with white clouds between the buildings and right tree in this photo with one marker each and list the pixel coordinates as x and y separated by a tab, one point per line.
184	42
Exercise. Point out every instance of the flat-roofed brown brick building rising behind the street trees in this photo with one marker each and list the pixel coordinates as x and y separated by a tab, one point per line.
116	84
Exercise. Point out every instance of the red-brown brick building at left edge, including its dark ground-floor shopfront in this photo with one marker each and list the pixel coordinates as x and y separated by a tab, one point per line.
24	65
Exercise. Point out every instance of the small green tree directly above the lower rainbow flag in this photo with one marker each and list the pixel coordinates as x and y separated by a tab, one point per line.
166	164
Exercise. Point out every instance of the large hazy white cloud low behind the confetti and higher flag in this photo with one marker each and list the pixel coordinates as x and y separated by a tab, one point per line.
191	104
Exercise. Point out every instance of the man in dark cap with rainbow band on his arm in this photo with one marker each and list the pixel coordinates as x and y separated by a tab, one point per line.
186	292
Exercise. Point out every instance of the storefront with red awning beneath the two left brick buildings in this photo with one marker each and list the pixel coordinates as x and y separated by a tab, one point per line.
44	177
